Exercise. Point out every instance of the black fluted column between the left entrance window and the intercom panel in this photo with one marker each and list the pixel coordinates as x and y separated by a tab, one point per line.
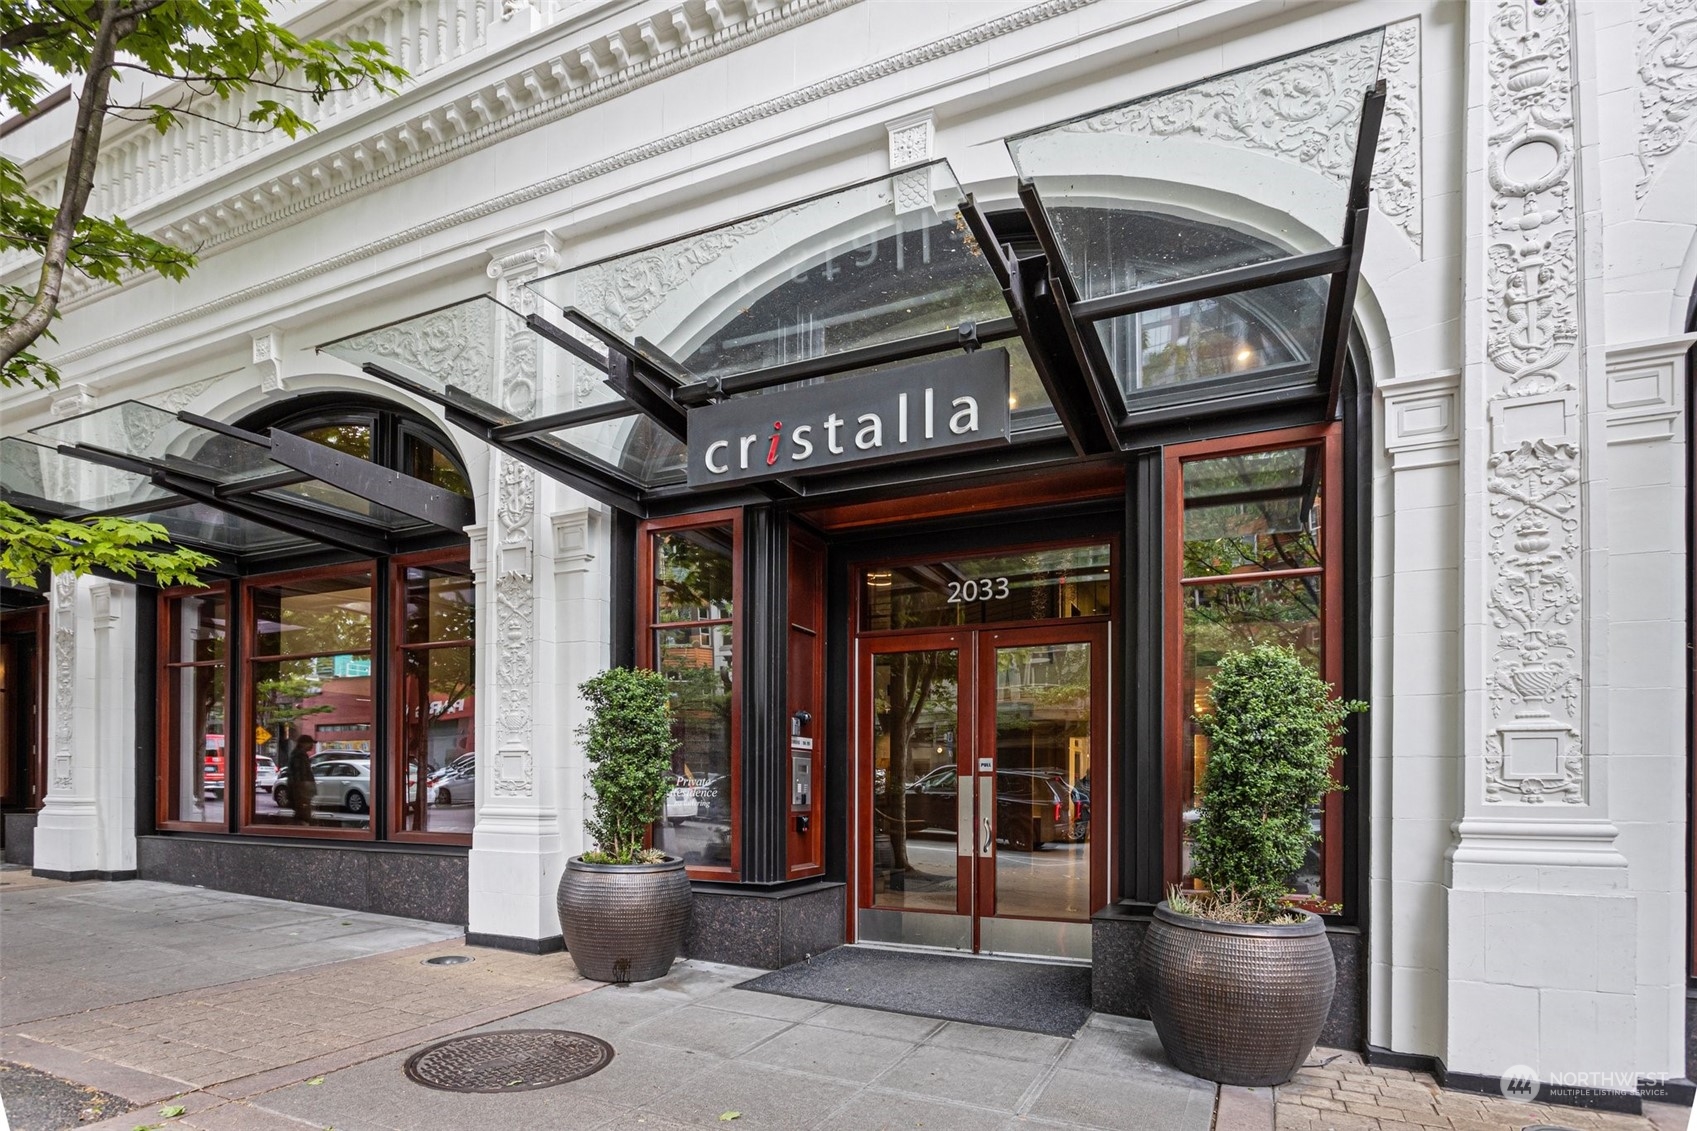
763	673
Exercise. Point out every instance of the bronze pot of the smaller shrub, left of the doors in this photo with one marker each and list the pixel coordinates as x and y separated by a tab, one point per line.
624	923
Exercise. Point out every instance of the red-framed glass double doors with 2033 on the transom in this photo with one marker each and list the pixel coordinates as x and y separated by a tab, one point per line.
980	757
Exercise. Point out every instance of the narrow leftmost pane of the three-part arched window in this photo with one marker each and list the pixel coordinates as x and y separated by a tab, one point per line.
196	736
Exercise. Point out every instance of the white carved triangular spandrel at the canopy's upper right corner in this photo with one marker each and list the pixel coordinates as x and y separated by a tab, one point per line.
1301	108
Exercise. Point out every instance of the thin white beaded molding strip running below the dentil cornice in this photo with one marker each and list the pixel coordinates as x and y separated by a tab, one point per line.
815	93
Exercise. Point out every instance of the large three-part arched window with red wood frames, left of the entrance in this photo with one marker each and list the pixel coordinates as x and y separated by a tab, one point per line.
335	701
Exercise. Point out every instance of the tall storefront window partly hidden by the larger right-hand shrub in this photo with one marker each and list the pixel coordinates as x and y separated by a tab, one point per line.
1253	566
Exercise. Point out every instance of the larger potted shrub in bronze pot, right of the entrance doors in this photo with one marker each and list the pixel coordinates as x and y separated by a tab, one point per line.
1238	979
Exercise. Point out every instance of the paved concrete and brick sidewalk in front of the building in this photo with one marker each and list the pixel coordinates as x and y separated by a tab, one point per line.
264	1016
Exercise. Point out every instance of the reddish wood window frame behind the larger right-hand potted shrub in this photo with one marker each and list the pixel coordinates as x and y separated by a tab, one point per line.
1331	571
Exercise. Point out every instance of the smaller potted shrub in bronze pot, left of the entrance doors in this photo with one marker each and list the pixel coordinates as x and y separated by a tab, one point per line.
624	908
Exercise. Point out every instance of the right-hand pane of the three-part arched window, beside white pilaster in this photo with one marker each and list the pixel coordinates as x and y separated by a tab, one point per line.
437	697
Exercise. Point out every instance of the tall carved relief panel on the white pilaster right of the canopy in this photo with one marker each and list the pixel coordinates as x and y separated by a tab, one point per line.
1535	626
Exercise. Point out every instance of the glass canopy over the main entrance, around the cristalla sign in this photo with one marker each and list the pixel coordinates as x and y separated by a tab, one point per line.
1179	256
